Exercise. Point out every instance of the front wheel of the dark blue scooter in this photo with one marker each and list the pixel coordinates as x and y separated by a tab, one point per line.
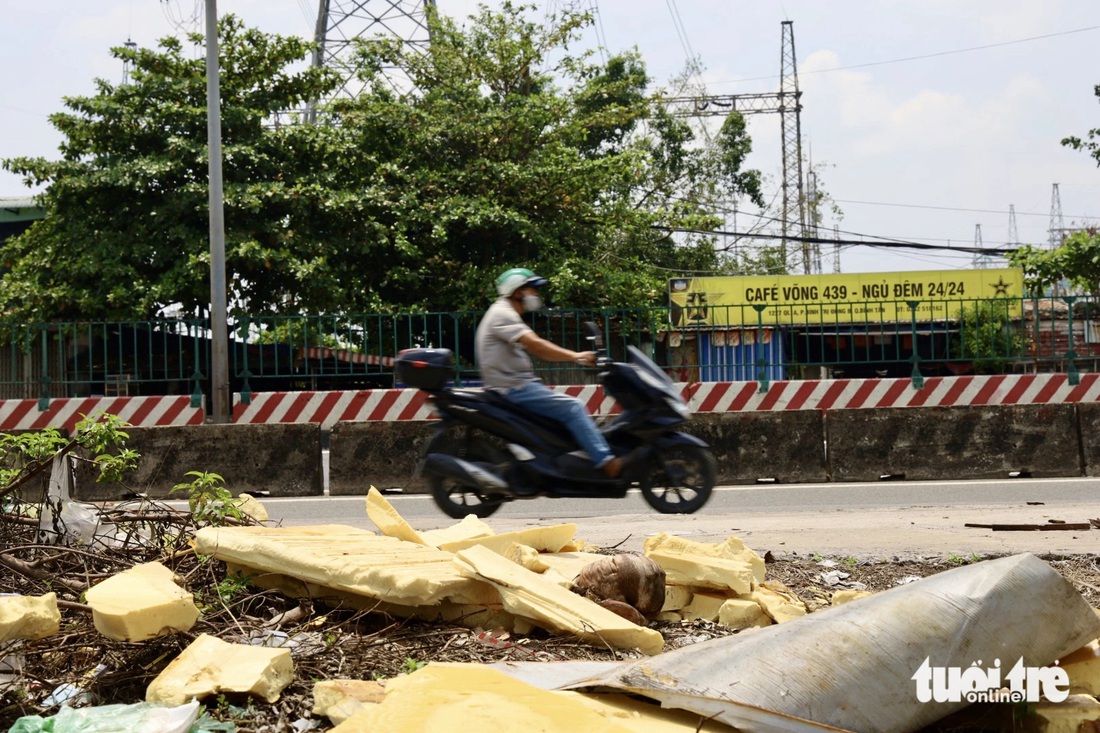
679	480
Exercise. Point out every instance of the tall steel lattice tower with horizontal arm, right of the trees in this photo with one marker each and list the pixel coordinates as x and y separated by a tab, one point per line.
788	104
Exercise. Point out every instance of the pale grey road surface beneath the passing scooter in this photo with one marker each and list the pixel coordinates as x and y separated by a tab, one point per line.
873	521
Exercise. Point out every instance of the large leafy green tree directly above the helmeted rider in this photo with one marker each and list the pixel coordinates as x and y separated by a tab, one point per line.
510	151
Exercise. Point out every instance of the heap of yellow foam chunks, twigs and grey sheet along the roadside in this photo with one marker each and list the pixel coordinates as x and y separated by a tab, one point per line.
764	663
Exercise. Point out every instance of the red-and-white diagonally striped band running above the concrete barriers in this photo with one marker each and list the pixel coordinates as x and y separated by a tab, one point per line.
392	406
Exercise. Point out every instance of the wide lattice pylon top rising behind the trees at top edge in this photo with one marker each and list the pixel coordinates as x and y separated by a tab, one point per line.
340	23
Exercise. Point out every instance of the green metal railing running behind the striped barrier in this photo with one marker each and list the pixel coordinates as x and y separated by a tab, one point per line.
745	343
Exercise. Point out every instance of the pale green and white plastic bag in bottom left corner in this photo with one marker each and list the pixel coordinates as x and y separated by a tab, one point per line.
141	717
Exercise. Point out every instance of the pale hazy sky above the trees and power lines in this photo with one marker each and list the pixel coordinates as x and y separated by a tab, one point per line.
925	121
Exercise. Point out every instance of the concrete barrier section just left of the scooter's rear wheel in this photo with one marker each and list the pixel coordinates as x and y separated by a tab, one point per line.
383	455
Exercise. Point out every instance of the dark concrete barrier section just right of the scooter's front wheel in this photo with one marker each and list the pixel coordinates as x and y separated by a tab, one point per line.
787	447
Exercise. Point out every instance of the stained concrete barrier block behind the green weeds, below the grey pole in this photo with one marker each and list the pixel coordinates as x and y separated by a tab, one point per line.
282	461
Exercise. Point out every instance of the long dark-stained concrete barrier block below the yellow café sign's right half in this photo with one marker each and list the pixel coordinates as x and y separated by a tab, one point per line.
953	443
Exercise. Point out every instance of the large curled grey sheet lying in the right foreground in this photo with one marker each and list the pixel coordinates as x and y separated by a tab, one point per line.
1010	609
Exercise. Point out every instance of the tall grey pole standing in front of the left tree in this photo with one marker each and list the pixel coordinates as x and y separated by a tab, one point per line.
219	320
